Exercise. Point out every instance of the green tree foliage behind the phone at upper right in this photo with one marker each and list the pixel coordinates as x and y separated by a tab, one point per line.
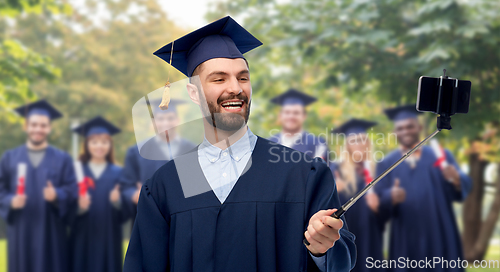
356	43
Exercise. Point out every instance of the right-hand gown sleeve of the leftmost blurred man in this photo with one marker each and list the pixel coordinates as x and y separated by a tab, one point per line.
67	191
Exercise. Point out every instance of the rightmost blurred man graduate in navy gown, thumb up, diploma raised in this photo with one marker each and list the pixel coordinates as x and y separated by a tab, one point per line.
418	196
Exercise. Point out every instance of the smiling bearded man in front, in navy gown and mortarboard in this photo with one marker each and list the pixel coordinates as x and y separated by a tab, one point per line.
231	205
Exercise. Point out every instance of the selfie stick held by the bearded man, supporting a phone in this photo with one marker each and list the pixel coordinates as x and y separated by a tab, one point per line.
443	123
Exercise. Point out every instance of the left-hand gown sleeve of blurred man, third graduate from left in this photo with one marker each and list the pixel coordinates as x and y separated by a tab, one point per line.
128	180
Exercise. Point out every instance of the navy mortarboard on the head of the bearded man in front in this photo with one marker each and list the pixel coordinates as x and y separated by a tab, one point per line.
224	38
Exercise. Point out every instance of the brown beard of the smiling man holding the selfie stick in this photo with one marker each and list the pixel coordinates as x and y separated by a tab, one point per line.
226	121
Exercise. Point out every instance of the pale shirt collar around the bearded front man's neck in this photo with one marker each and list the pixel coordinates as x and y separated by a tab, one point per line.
237	150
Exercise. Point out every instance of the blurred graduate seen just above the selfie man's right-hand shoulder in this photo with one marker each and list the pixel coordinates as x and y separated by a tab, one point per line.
292	116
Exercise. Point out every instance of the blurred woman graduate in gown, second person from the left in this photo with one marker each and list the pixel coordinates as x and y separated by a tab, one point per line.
96	236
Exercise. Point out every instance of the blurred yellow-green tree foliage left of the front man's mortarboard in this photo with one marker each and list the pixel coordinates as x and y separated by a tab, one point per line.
104	50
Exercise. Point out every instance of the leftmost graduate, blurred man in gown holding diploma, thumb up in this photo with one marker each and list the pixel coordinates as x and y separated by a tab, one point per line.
35	204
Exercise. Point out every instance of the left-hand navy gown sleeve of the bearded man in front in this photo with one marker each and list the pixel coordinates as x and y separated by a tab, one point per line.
151	228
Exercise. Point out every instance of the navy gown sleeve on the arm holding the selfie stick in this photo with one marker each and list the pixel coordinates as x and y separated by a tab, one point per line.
321	194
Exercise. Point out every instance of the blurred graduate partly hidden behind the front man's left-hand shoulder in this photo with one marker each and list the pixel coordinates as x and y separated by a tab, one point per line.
142	162
